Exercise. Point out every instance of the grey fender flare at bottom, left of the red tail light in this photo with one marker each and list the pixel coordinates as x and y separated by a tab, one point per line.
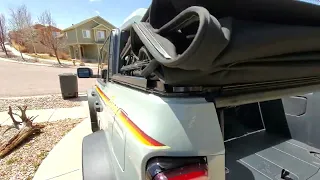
96	157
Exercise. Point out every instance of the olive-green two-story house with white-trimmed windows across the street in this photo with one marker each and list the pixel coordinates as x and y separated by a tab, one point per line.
86	38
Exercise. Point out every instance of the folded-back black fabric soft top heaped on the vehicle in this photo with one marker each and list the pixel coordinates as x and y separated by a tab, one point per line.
265	43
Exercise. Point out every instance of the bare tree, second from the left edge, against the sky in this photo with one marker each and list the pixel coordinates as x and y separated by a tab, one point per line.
21	25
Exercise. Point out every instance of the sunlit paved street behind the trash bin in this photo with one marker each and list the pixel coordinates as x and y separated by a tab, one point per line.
27	80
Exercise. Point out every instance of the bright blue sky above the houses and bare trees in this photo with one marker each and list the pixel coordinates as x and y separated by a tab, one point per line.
67	12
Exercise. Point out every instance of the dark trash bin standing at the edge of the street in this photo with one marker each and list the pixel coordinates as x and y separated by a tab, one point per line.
68	85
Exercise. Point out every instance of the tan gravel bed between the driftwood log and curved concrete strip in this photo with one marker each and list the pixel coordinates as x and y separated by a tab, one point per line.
24	161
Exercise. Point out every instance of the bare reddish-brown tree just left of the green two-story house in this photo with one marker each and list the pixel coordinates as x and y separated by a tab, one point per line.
48	34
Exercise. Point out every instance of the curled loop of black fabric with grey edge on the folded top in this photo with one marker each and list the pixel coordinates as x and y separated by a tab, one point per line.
190	41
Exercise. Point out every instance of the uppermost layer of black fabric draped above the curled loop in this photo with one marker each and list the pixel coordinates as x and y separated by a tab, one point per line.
293	12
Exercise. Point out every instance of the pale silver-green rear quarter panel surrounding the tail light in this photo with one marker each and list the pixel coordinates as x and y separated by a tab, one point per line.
187	126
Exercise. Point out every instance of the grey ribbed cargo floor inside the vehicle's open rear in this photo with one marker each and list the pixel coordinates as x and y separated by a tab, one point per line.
263	156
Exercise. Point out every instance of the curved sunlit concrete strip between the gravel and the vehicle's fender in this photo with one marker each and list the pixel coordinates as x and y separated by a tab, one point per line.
64	161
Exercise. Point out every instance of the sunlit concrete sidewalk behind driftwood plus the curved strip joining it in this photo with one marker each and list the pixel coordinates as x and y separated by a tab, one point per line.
64	161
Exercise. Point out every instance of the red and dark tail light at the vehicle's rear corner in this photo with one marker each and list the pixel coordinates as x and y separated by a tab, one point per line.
194	168
